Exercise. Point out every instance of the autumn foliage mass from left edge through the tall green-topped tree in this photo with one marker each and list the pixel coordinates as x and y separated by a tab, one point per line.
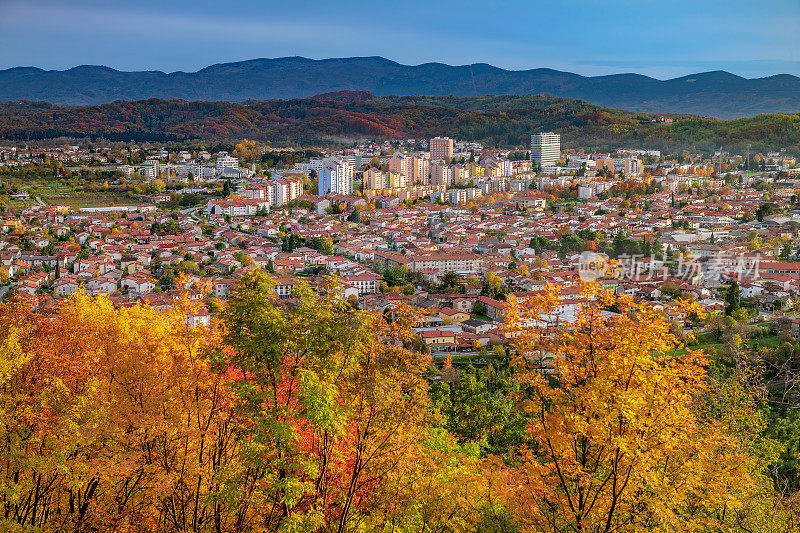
130	420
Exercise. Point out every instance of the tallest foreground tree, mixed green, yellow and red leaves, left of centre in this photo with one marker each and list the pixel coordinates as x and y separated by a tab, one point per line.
332	408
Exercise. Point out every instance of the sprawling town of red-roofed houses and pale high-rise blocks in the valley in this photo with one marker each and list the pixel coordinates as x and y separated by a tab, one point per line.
450	228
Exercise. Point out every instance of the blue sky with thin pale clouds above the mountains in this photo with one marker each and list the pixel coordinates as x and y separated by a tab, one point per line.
662	39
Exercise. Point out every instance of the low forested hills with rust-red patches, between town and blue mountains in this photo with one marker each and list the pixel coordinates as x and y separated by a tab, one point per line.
342	117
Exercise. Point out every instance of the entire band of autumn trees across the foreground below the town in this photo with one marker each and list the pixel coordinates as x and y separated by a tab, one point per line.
309	415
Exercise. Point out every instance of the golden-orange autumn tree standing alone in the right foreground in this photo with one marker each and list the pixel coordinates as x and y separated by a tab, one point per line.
616	442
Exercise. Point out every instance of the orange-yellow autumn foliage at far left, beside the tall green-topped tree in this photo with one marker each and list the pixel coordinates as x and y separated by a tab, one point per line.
112	419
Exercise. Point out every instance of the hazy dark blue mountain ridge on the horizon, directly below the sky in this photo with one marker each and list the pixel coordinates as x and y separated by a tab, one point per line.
719	94
